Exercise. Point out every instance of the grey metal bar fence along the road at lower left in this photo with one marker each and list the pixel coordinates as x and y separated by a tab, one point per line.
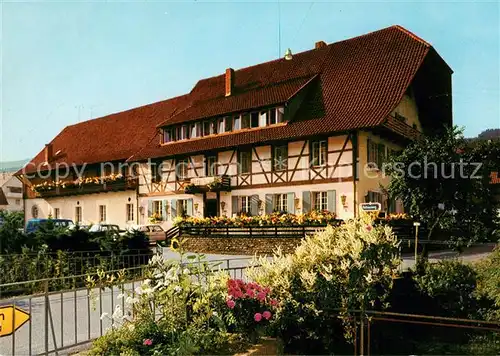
61	320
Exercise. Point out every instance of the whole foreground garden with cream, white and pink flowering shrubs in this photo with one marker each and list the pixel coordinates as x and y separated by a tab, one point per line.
309	302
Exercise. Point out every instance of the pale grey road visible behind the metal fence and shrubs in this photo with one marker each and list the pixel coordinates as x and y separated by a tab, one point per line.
74	317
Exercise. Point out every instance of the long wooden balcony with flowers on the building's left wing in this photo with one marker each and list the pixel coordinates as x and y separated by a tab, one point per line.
87	186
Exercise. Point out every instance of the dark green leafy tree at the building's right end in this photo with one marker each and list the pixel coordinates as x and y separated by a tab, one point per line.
444	182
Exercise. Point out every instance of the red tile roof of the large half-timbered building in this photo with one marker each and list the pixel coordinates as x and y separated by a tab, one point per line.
353	84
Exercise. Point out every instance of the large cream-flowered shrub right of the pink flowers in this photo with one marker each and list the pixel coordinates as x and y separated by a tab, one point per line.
347	267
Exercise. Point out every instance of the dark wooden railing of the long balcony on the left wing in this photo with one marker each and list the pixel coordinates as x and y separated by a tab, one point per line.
113	186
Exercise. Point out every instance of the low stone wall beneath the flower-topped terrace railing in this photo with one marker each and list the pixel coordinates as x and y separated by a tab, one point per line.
239	246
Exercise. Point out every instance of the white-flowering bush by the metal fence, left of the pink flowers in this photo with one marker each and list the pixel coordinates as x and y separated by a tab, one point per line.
180	309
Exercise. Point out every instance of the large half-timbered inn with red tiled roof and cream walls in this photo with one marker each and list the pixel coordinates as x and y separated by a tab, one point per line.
310	132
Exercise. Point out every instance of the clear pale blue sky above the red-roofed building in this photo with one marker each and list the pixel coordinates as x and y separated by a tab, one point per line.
65	62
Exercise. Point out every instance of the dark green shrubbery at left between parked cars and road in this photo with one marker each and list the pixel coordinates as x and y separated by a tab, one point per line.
54	252
